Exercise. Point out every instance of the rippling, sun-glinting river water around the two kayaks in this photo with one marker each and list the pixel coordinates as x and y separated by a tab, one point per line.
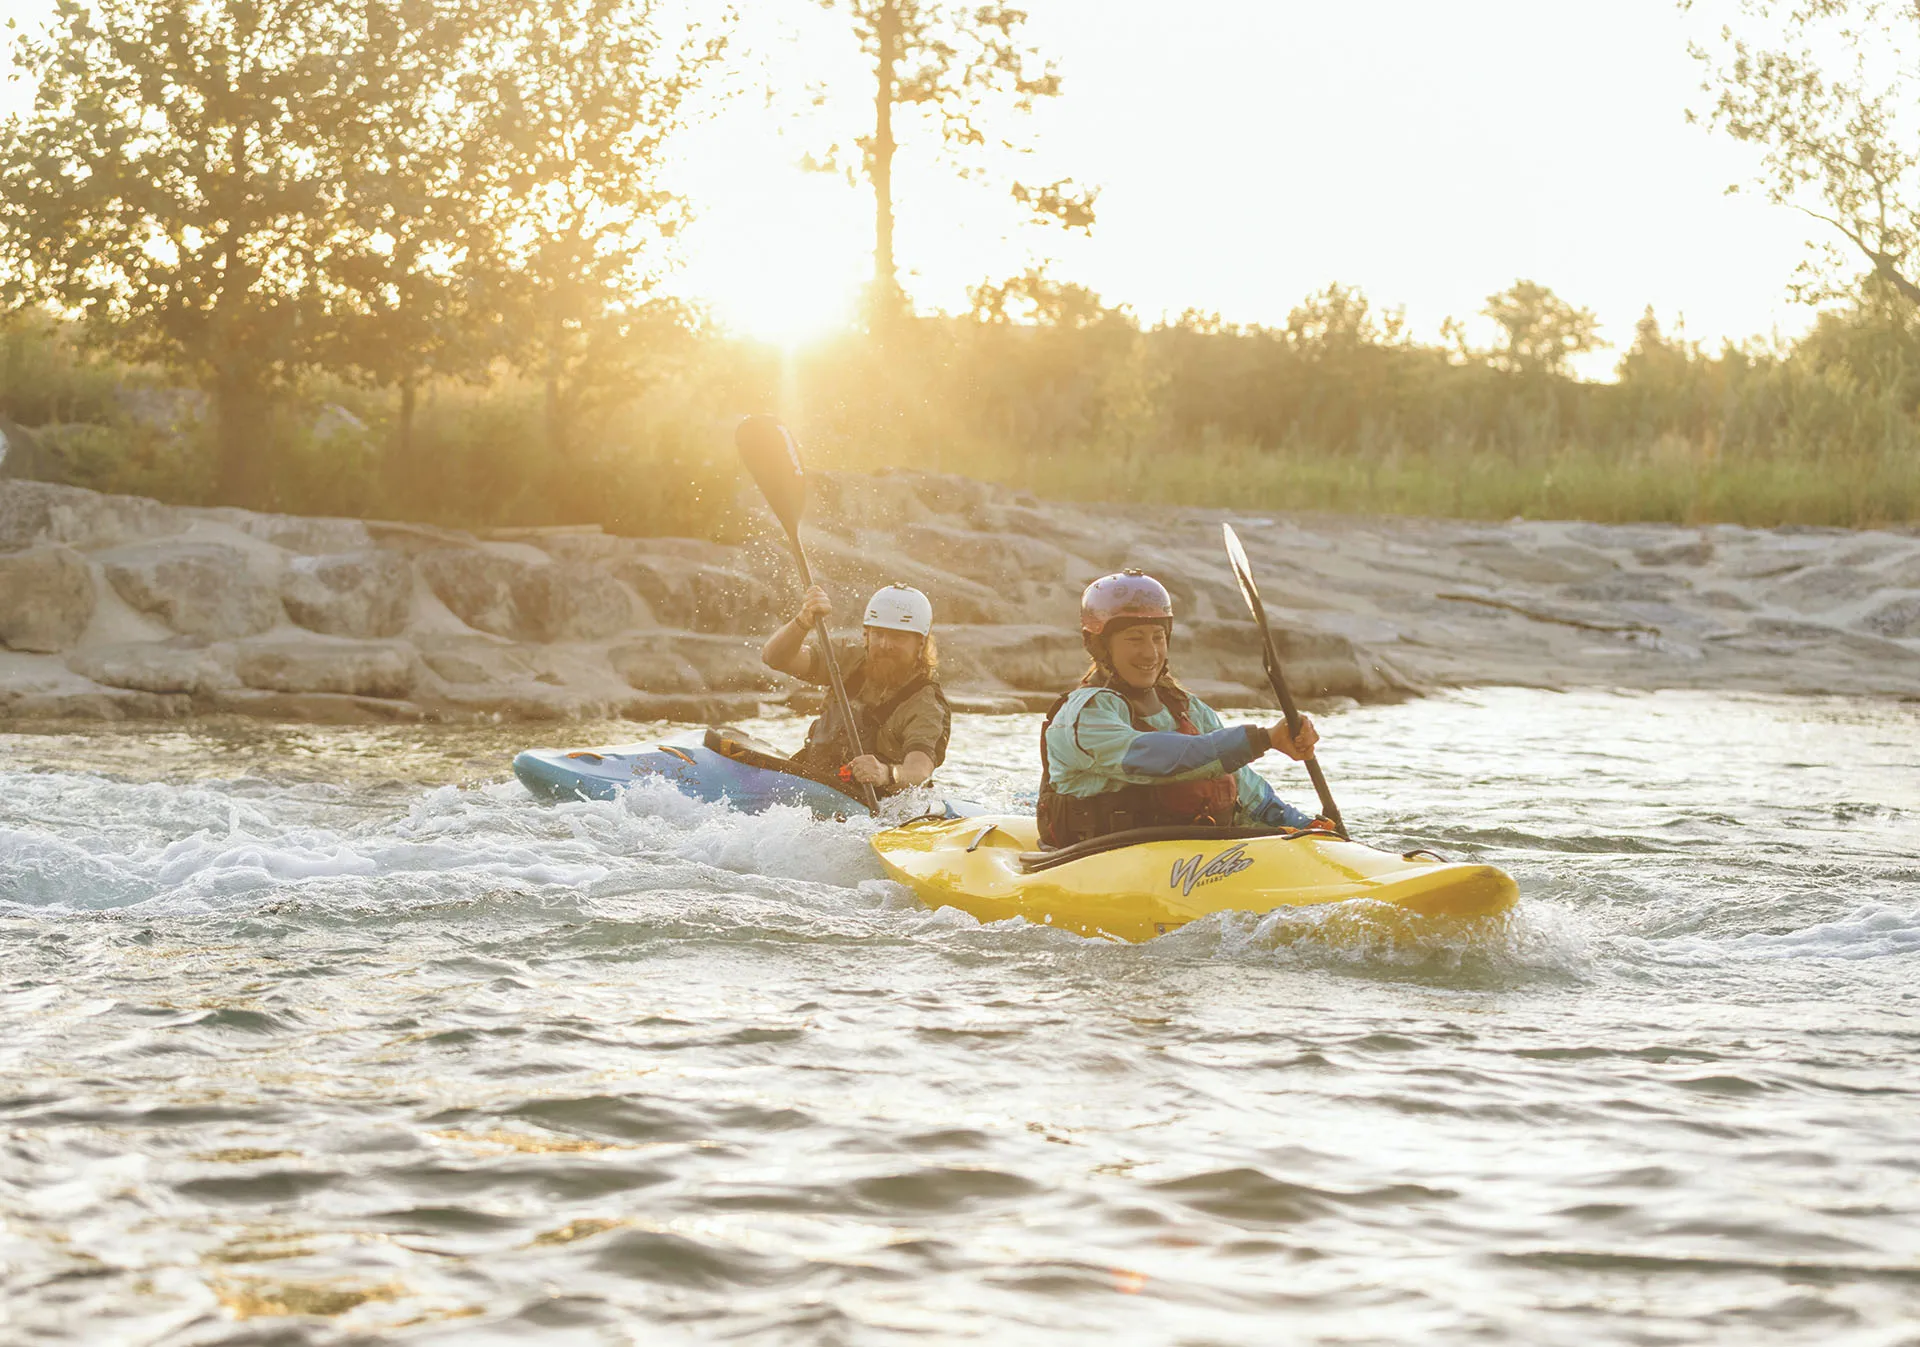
335	1035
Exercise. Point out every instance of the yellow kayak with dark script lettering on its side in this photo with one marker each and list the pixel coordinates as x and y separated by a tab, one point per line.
1145	884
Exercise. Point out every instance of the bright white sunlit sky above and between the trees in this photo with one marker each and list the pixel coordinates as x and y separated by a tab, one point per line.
1251	153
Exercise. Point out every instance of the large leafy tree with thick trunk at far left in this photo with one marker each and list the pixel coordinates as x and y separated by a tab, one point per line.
164	187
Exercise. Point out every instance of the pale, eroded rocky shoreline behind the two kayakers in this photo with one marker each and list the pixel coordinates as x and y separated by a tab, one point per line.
130	609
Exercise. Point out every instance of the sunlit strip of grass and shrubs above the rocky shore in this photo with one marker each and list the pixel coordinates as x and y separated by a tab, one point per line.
1332	414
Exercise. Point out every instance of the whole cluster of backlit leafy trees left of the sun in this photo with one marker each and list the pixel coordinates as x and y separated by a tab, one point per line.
396	191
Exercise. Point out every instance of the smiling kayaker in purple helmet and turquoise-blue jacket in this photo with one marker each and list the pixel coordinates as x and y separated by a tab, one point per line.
1130	747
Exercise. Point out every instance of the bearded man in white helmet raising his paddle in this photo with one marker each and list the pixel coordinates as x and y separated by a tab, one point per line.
892	682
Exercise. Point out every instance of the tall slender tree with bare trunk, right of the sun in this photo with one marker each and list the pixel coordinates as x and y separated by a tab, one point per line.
959	64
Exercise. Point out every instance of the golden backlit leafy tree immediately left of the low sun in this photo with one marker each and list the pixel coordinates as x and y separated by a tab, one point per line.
585	97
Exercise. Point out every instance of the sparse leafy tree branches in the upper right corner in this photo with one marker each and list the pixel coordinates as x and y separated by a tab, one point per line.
1827	93
